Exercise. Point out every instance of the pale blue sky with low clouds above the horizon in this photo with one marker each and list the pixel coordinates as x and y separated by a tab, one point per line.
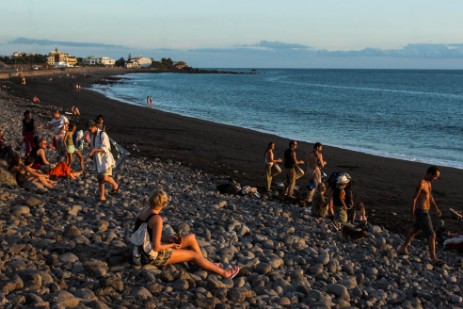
392	34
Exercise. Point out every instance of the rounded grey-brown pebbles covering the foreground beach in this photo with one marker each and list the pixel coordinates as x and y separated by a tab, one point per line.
63	249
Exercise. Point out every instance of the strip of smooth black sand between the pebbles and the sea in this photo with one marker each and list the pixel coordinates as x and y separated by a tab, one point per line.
385	185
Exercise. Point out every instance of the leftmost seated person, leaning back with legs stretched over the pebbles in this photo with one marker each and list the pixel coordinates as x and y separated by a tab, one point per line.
26	175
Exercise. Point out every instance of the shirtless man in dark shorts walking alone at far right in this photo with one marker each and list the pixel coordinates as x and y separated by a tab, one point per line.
422	203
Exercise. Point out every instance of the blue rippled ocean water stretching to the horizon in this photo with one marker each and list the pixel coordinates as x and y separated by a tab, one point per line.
415	115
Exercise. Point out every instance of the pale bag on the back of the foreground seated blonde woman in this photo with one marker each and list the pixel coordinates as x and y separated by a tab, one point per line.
143	246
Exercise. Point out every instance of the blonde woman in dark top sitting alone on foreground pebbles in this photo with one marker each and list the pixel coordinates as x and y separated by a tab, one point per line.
172	250
